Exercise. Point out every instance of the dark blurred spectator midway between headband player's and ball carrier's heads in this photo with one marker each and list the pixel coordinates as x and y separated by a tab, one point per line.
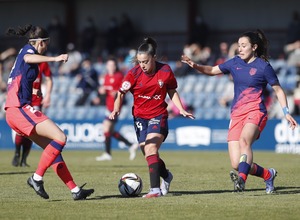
88	37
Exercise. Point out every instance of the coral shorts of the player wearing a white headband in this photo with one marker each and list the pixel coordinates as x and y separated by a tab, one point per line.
23	120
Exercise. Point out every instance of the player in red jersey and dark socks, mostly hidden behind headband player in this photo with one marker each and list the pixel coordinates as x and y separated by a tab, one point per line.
38	101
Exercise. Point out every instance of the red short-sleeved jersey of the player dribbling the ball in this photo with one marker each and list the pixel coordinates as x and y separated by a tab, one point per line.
149	91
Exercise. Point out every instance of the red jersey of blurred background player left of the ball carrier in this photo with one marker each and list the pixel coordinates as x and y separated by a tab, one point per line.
112	84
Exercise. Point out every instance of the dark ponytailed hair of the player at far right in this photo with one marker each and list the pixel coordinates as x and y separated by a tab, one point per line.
258	37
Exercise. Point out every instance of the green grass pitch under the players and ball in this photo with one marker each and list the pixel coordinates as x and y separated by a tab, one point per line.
201	188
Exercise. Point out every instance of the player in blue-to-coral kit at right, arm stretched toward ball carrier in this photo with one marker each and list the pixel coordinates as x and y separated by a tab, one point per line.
251	73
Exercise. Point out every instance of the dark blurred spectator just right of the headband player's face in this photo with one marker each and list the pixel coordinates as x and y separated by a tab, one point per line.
57	35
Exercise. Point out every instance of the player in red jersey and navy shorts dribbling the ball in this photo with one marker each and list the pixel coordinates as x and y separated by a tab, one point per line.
150	82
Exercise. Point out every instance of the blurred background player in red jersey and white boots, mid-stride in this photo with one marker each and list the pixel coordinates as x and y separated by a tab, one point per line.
112	82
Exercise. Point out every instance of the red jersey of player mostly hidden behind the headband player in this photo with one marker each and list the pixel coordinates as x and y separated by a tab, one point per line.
44	69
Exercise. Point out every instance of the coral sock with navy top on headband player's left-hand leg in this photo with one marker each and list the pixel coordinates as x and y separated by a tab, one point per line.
49	154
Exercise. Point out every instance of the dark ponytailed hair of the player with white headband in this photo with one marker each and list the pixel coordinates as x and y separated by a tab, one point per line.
29	31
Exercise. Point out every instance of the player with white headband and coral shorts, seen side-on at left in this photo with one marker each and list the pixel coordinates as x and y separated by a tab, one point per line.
31	123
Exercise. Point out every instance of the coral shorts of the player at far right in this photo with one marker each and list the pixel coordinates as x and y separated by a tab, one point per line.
237	123
